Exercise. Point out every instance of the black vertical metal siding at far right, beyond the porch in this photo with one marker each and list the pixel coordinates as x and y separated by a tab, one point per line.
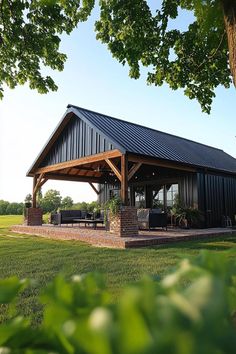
217	197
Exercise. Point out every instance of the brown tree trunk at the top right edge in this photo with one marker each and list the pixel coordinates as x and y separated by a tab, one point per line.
229	9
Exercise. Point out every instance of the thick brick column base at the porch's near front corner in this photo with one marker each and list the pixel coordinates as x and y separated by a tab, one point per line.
125	222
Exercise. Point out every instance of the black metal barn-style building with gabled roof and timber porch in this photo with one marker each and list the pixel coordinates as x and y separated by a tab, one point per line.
148	168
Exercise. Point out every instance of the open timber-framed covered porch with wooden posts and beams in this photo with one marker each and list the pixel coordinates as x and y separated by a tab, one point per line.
139	181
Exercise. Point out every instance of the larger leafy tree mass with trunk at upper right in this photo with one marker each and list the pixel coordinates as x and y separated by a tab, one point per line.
196	60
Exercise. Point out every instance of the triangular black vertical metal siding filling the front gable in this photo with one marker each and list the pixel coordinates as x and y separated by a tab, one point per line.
77	140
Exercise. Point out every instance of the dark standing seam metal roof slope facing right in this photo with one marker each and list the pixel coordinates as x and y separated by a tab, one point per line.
146	141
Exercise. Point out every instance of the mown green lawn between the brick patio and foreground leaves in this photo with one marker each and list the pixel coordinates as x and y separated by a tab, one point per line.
41	259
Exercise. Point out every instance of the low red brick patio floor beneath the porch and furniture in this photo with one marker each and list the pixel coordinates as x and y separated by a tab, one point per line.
102	238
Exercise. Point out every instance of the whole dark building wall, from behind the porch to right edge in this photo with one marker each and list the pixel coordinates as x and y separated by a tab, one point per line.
214	195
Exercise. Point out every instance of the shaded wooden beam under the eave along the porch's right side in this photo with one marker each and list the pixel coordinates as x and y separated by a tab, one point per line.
161	163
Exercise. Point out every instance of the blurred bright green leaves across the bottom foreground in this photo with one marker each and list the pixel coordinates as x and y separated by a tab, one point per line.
170	315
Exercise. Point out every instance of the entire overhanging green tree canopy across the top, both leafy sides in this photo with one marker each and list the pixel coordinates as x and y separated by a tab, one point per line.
197	59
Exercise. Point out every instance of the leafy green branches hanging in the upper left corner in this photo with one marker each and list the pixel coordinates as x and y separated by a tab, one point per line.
29	38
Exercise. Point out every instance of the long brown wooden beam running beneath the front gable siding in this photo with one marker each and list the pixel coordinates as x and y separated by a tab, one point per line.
82	161
